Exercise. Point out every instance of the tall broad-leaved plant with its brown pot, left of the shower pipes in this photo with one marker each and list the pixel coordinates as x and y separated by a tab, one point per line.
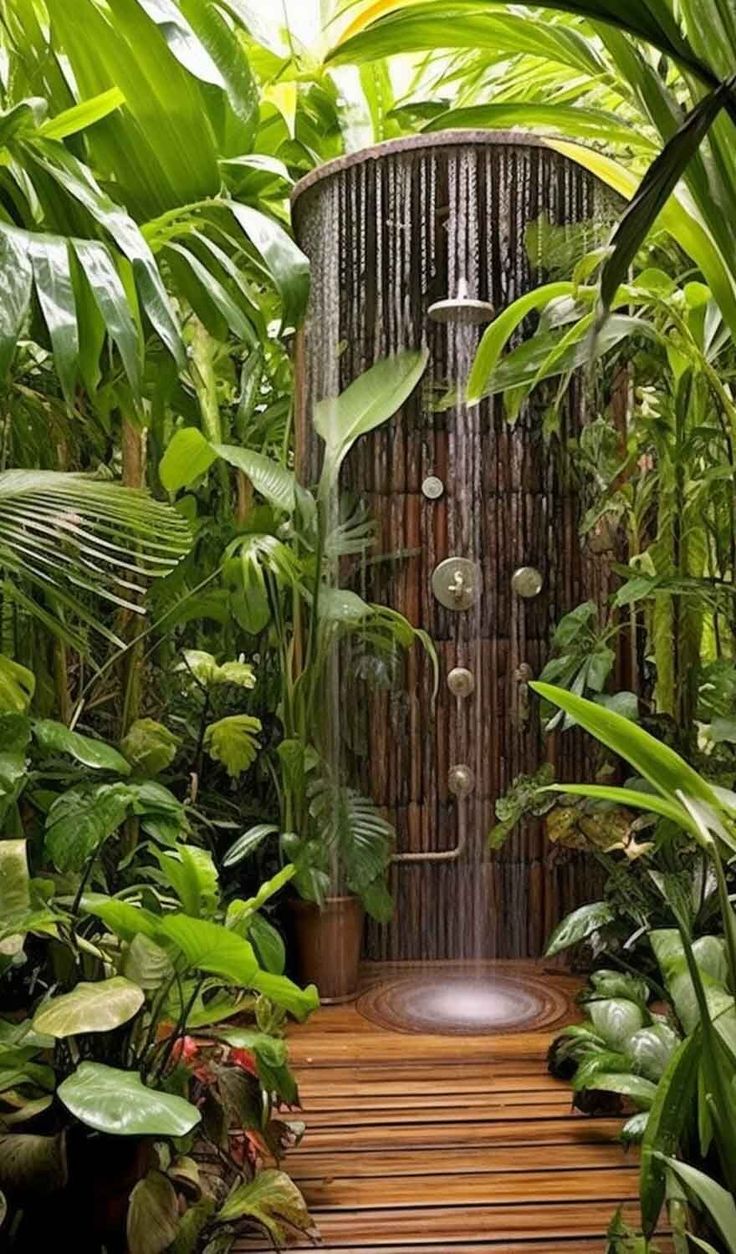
289	582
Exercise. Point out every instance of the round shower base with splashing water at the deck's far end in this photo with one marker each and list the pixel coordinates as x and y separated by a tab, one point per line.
463	1004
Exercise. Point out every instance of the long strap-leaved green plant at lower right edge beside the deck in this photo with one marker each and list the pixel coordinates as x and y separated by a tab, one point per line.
693	1104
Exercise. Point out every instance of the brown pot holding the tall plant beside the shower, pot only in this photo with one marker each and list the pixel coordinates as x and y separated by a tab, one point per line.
328	945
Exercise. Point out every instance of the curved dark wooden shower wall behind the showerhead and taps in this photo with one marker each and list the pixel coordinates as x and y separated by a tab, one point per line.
391	233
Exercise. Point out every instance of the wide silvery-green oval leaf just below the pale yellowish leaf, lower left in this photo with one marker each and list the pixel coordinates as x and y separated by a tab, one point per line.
120	1104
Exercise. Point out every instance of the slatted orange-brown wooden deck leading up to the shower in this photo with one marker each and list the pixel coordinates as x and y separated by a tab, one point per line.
449	1144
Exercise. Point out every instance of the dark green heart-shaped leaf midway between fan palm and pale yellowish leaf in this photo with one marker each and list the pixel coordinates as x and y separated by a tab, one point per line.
82	819
